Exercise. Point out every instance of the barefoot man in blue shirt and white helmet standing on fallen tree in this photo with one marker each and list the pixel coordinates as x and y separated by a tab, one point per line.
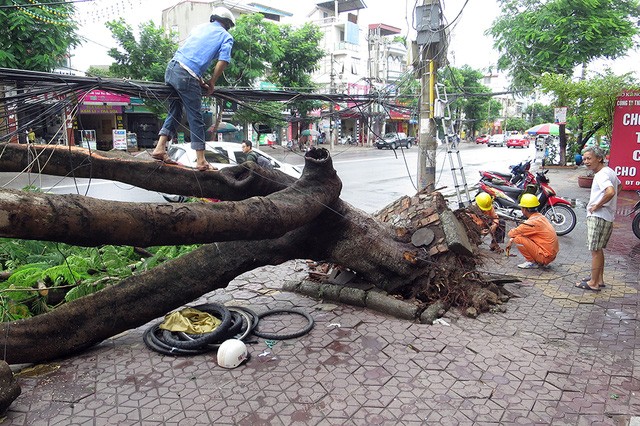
206	43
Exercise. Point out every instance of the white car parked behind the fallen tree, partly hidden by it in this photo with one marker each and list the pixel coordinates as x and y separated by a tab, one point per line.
221	155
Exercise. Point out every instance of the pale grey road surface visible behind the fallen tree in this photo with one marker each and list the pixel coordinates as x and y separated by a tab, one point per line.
372	178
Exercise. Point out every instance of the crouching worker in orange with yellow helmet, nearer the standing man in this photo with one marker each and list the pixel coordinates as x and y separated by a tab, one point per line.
535	238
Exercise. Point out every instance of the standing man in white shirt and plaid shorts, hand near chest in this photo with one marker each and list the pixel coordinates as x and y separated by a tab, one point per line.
601	211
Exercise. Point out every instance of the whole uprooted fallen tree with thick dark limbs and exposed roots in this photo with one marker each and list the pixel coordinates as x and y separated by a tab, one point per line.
271	220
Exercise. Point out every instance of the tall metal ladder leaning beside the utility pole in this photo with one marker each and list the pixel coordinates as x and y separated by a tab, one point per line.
443	111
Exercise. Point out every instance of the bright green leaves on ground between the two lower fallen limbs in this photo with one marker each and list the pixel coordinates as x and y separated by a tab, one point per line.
43	274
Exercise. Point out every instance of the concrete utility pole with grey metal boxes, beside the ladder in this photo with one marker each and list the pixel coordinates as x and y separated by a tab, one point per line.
430	41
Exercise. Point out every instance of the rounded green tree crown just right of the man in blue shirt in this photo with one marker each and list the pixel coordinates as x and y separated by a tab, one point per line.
256	45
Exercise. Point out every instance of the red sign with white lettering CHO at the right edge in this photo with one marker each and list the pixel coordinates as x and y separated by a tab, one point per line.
625	140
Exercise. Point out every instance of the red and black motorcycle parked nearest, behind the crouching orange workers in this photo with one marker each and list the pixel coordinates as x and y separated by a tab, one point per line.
558	210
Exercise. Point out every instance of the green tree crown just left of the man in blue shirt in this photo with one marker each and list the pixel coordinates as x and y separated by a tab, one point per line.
143	59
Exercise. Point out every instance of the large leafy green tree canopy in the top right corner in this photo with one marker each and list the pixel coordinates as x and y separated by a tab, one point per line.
555	36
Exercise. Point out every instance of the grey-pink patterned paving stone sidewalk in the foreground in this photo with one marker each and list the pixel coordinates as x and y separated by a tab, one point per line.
559	355
